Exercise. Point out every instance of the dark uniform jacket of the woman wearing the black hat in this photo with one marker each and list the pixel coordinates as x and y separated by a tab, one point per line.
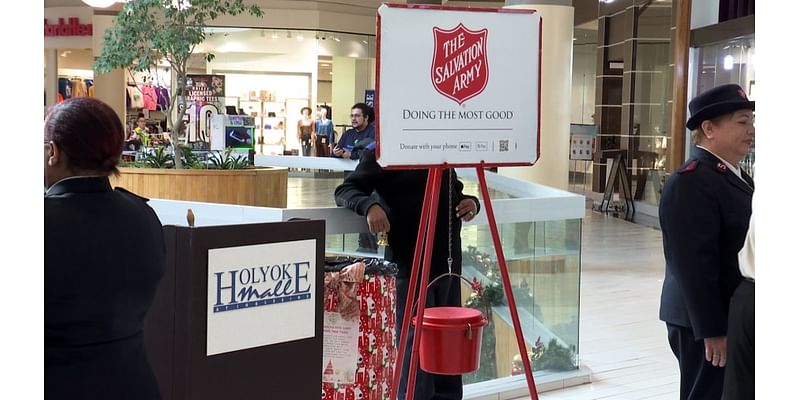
704	214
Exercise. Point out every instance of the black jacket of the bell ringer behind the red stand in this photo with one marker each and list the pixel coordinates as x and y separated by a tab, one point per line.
401	193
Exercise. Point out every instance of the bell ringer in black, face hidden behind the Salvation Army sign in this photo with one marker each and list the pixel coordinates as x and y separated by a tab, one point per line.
396	211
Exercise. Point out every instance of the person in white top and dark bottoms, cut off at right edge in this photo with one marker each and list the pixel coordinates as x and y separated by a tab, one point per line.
740	374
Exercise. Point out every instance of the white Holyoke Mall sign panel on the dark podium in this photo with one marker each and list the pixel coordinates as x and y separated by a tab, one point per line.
260	295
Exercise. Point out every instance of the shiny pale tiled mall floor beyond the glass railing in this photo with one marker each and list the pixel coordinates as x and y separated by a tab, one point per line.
621	339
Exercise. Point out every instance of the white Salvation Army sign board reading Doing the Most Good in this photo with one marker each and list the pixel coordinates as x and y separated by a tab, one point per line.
457	86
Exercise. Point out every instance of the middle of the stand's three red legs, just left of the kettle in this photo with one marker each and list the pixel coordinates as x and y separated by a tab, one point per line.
423	286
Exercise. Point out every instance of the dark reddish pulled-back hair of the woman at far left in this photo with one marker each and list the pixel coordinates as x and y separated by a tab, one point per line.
88	131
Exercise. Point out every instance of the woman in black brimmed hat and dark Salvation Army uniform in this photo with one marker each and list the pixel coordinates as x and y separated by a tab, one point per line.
704	213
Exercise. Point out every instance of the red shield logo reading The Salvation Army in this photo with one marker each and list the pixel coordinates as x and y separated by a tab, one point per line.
459	69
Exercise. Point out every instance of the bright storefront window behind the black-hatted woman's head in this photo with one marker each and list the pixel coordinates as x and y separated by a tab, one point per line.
732	61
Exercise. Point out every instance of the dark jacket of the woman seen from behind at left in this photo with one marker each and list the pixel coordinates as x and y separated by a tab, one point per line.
104	255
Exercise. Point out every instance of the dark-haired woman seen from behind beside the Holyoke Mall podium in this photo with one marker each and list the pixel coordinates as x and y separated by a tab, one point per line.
104	255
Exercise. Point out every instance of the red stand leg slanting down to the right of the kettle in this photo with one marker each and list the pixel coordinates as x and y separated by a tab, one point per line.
512	305
